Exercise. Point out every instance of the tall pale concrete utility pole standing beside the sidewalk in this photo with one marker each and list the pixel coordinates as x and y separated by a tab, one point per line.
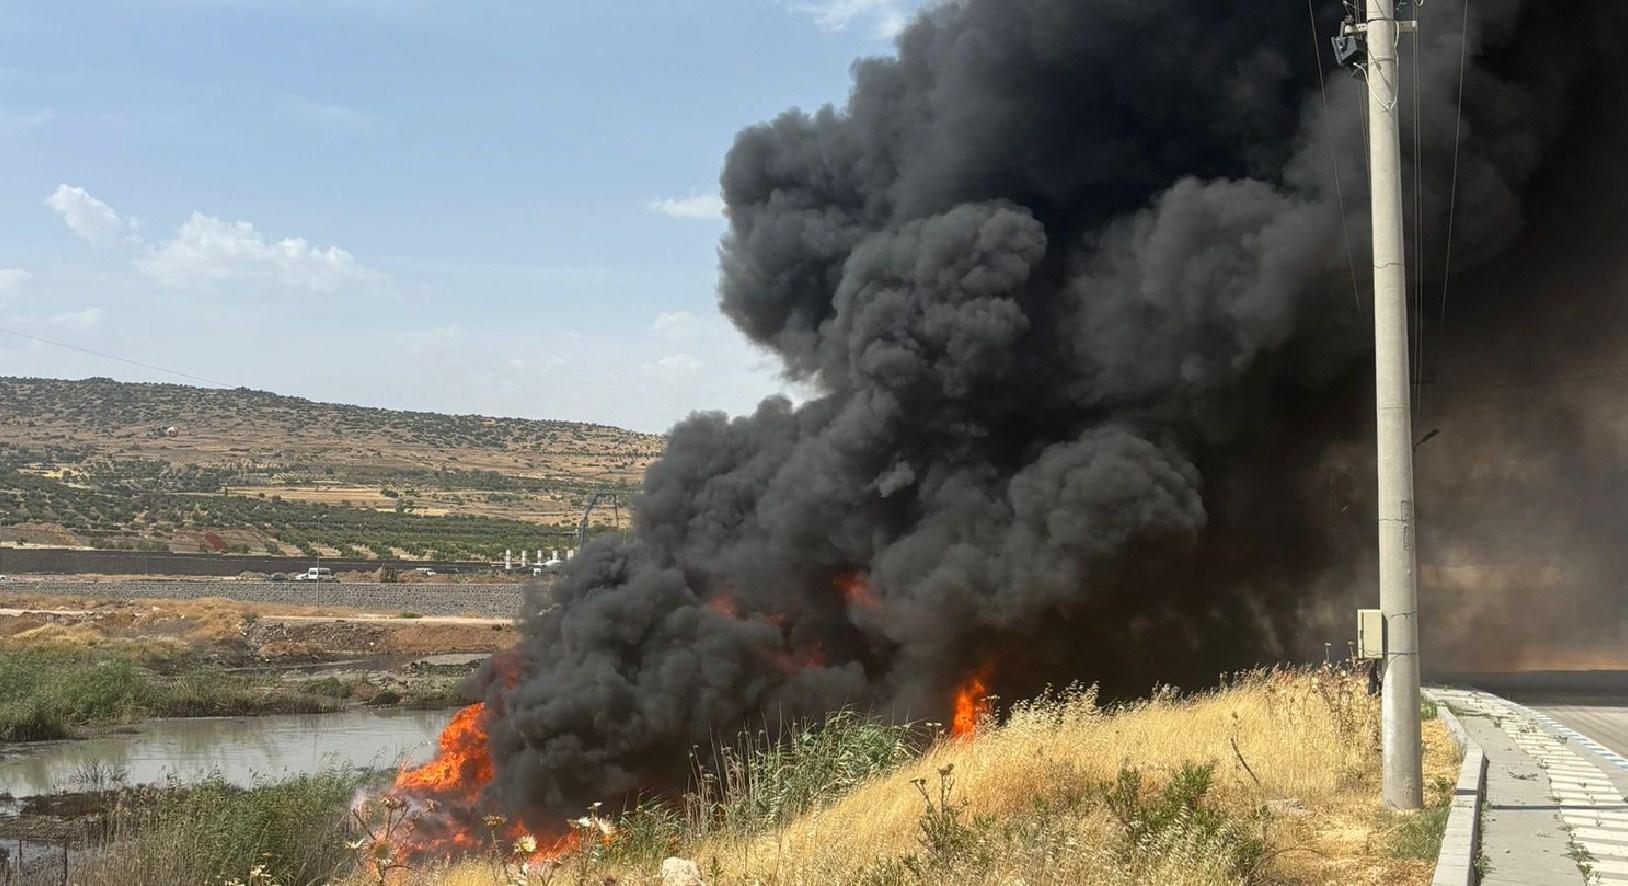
1398	568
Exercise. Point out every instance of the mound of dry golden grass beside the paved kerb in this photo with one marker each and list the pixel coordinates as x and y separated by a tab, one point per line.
1033	802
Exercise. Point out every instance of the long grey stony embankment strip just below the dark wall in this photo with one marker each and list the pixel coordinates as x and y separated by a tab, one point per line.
494	602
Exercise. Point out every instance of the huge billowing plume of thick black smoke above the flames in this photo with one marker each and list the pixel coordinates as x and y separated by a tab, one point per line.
1095	387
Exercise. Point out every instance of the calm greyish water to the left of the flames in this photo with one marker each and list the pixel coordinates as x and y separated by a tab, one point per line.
240	748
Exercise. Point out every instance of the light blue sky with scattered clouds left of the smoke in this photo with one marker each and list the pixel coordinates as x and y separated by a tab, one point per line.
502	208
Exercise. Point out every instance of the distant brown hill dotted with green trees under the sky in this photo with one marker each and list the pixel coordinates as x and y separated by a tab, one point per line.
165	467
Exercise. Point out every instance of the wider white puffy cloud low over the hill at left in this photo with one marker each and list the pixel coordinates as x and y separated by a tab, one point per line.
209	250
